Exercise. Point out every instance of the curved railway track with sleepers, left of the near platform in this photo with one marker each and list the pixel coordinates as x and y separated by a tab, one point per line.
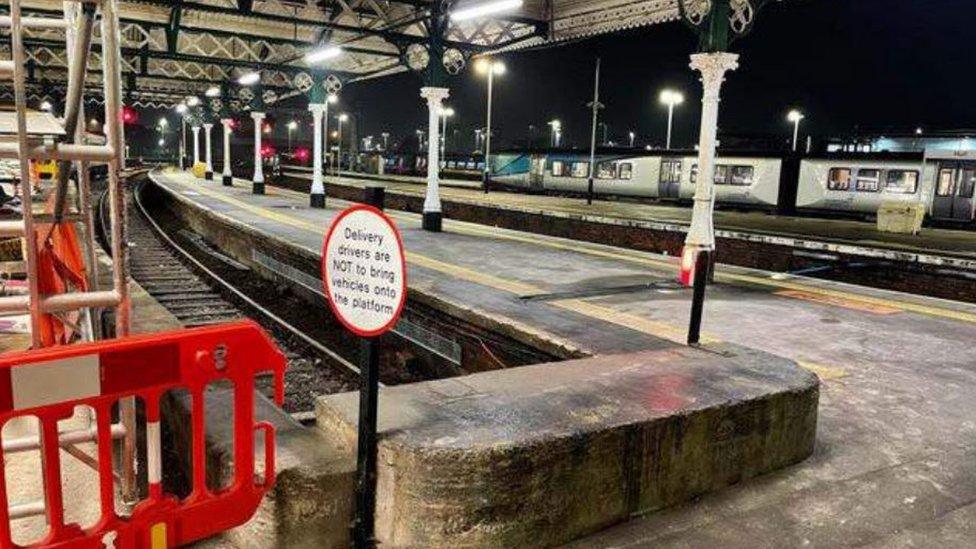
198	296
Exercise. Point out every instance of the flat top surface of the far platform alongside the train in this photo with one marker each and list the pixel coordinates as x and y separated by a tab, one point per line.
955	243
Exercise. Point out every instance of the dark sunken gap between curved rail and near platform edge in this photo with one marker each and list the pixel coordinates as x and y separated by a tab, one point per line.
426	344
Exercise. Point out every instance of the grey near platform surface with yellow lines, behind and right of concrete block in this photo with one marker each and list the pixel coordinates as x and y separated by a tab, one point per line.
896	439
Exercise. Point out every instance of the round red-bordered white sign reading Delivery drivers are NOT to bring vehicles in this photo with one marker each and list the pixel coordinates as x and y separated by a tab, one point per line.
364	271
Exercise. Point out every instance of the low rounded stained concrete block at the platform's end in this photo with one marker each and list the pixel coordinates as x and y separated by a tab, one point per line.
540	455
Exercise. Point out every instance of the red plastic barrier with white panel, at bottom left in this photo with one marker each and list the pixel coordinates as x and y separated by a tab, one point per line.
32	383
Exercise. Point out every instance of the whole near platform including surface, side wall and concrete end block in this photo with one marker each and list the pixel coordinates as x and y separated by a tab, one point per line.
893	436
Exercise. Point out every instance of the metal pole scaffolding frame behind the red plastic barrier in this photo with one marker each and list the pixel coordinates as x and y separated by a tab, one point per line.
70	149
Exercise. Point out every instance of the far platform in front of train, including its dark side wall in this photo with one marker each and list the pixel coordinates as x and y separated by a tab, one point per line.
940	262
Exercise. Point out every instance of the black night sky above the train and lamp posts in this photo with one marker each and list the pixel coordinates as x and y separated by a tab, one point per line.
845	63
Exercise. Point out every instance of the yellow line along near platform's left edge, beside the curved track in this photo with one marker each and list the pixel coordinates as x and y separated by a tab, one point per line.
520	289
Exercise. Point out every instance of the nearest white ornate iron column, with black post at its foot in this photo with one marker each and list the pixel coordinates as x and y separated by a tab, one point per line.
715	23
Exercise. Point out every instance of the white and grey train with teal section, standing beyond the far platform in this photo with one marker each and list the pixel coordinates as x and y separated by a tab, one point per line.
832	183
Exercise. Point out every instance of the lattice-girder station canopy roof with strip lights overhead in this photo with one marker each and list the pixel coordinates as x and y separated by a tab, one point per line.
173	48
